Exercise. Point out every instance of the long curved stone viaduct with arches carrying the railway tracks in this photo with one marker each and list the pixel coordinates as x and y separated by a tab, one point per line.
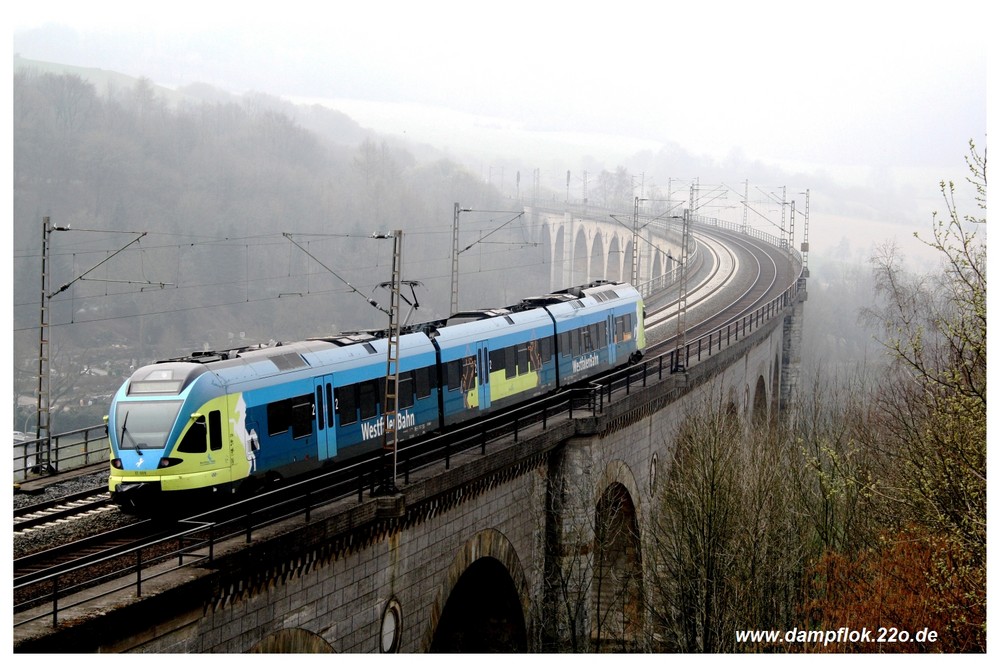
539	544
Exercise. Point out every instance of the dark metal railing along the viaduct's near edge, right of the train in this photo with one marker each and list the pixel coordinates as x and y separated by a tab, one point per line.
200	541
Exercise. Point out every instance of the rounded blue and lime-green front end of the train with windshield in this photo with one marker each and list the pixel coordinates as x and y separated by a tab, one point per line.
168	427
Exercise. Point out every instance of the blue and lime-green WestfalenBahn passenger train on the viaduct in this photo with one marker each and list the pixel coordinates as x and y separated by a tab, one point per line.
222	423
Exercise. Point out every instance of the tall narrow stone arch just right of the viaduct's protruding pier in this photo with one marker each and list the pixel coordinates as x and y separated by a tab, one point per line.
616	598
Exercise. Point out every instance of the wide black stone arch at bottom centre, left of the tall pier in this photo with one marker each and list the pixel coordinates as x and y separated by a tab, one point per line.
458	619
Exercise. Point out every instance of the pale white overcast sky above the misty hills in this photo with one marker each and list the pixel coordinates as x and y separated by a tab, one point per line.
860	90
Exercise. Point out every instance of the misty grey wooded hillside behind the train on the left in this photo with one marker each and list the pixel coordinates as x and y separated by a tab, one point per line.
221	221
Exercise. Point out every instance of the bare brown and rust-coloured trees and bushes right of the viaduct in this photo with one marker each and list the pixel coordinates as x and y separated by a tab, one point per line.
867	506
